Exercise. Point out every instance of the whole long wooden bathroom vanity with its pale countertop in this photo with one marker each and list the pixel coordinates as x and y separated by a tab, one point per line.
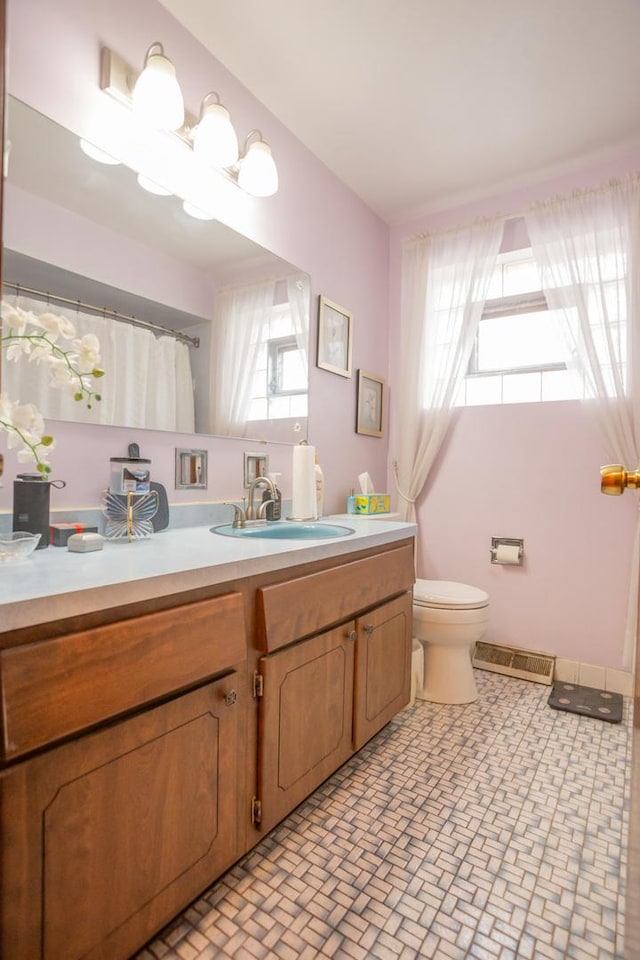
165	703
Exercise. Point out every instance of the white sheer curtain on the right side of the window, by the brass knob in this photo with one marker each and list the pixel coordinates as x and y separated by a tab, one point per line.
588	249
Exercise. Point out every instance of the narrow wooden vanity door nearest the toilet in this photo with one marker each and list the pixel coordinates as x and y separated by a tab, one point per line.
383	667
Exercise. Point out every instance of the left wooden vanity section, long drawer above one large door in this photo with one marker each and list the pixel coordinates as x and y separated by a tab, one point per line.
106	836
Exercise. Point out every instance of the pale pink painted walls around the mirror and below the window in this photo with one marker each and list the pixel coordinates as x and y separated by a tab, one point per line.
529	471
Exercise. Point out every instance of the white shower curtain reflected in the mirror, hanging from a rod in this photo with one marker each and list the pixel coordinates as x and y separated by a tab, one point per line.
147	381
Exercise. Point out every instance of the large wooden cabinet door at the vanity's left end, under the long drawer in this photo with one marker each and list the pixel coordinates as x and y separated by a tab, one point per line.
107	838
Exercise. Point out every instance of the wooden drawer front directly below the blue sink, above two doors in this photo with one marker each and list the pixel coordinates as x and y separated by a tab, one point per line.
303	606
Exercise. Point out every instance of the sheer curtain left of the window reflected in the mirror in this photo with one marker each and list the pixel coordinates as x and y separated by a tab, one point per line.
239	314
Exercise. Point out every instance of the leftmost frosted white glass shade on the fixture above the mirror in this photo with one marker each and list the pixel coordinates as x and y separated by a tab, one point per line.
157	97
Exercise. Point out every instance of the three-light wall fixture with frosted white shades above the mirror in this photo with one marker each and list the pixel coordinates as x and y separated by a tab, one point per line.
211	137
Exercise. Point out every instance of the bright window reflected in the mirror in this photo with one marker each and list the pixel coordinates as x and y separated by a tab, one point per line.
280	378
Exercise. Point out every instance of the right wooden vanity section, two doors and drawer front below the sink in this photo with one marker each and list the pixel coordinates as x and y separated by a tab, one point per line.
321	697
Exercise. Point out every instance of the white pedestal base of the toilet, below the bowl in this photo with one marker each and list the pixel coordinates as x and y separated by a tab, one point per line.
448	674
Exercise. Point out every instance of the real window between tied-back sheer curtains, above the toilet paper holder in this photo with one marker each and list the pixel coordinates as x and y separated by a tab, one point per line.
519	355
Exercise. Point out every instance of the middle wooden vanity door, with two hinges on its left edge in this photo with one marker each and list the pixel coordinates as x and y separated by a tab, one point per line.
305	719
